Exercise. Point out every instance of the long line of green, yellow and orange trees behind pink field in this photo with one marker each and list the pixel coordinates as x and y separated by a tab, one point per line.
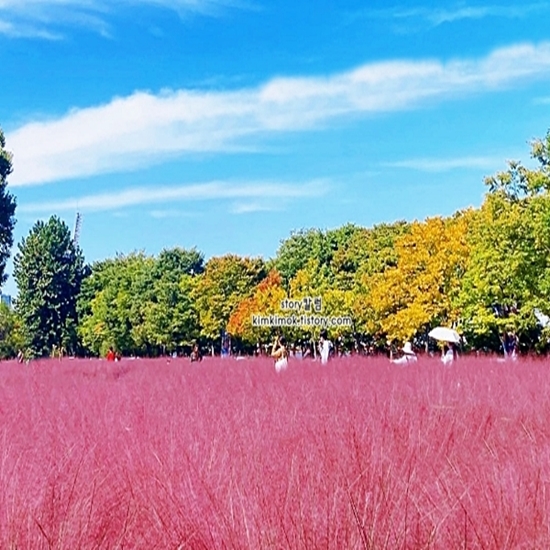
484	271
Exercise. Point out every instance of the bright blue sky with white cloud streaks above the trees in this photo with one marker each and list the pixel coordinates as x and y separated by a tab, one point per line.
226	124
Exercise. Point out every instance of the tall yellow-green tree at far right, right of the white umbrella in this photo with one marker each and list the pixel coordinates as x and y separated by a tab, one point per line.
509	270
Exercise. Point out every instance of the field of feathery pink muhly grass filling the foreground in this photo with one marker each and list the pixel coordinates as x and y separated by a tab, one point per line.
230	454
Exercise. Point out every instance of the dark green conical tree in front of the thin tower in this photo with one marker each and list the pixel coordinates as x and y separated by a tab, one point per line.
48	269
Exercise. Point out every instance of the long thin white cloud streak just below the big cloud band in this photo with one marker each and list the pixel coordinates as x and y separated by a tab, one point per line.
239	193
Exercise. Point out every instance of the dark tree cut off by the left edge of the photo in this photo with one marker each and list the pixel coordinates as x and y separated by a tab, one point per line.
7	209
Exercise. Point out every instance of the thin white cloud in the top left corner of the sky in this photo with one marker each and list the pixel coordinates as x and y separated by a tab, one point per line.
46	19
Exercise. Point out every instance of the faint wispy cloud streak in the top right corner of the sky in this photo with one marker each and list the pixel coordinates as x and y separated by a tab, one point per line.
437	16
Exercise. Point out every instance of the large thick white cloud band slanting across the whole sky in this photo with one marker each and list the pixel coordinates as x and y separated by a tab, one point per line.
145	128
